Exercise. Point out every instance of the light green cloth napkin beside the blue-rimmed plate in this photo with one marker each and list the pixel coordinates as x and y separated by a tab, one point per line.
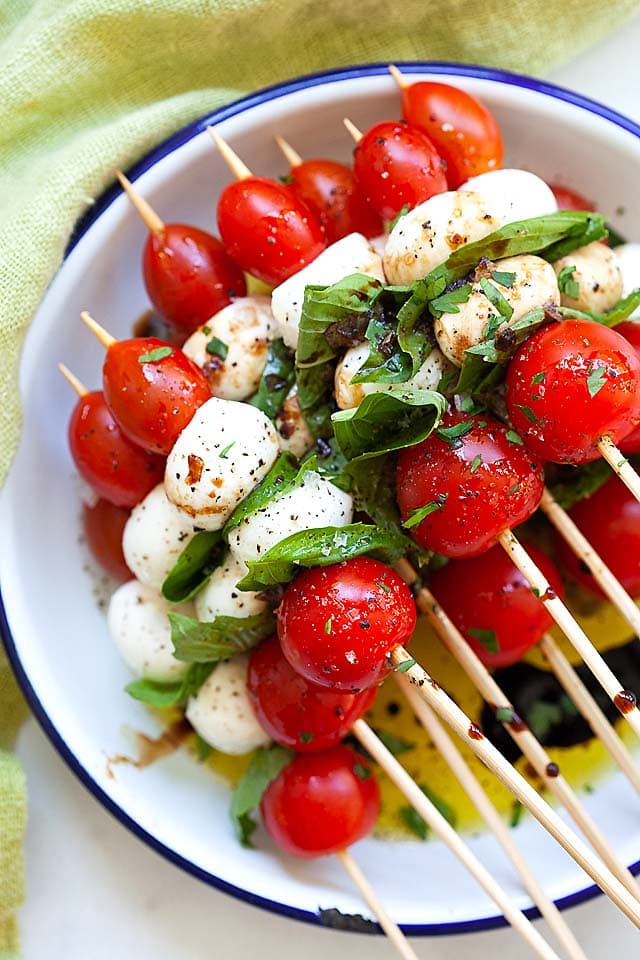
88	85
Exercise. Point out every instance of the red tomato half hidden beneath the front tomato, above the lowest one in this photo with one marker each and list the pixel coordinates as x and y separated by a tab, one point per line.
294	712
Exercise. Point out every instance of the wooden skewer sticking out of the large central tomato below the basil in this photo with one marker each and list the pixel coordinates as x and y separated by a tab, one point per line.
623	699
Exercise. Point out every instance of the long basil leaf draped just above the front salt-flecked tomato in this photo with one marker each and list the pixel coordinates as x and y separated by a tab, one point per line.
320	548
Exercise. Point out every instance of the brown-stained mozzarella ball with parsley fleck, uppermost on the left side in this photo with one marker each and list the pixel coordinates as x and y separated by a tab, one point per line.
245	327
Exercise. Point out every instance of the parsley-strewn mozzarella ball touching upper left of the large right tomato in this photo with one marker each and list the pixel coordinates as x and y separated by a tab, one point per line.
534	286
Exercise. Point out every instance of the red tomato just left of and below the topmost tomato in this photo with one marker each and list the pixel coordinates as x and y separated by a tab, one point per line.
396	165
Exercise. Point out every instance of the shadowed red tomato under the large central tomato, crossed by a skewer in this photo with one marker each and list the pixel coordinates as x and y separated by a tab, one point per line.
492	604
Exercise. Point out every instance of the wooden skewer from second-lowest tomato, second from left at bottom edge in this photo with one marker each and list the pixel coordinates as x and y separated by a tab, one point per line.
445	832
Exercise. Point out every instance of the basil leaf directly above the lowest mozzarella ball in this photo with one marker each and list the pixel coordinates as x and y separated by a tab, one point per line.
196	641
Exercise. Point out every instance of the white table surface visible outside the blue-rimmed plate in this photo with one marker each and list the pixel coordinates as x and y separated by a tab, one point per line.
95	892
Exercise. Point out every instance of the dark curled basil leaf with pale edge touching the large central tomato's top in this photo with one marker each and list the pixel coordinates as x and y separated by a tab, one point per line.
387	421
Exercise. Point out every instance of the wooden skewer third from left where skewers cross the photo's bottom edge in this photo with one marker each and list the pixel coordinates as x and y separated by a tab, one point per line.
471	785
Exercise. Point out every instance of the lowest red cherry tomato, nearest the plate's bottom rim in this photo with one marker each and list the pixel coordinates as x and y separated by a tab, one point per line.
321	803
